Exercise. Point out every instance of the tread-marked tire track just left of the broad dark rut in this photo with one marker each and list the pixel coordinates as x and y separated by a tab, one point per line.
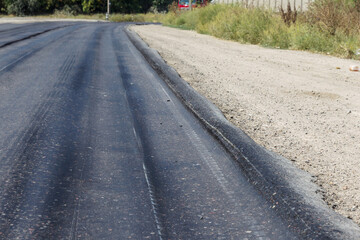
19	157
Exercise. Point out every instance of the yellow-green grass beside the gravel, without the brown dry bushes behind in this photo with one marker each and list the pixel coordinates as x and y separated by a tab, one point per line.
263	27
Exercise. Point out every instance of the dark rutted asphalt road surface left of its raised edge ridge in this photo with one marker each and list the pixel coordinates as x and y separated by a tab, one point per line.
94	145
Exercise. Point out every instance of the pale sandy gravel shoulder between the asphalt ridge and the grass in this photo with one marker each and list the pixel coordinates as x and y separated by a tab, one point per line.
304	106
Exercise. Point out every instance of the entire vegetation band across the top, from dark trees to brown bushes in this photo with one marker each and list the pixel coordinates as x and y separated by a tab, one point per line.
329	26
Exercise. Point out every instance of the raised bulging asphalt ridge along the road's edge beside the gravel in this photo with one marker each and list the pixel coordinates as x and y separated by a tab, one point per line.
292	192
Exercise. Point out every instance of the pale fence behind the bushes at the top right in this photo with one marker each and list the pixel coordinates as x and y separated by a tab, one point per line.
301	5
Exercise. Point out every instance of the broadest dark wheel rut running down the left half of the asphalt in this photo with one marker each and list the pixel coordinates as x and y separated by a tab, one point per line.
65	181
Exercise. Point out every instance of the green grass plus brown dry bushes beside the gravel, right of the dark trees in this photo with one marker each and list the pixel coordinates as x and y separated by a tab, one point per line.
329	26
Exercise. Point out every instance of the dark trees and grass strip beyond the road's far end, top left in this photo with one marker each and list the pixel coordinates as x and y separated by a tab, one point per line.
121	10
